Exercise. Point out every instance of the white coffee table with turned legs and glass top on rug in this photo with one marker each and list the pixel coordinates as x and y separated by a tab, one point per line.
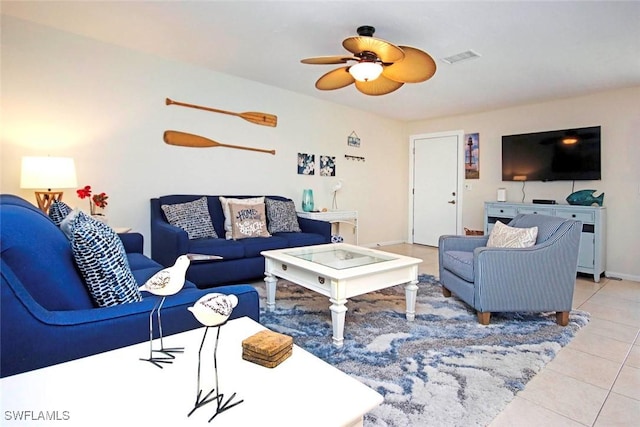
341	271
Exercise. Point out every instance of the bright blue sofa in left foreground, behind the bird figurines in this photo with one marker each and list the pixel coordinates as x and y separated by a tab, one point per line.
47	314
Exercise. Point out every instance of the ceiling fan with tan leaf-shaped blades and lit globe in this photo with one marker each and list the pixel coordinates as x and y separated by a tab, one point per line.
381	67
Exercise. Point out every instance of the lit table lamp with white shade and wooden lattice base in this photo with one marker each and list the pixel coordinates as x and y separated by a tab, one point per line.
48	172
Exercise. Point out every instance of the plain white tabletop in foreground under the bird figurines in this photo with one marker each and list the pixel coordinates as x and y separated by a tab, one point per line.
115	388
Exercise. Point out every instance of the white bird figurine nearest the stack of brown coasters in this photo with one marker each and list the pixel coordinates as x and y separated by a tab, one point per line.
213	310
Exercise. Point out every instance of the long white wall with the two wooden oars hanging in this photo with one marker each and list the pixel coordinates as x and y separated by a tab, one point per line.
66	95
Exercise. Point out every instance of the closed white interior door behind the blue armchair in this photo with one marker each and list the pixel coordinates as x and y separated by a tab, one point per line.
436	186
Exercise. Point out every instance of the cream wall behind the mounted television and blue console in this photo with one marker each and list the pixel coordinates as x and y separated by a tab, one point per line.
617	111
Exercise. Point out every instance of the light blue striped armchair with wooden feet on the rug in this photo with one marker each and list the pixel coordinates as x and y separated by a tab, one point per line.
539	278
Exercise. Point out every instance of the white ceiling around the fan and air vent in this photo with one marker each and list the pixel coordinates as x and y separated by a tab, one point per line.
530	51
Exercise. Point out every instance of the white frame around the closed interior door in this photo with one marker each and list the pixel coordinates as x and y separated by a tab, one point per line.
459	176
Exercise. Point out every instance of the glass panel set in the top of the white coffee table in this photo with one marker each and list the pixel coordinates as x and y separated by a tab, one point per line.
340	258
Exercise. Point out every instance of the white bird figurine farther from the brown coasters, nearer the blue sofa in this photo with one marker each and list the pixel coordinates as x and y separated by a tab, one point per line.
168	281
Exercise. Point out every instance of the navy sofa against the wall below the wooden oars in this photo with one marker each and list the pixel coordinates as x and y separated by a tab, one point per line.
241	258
